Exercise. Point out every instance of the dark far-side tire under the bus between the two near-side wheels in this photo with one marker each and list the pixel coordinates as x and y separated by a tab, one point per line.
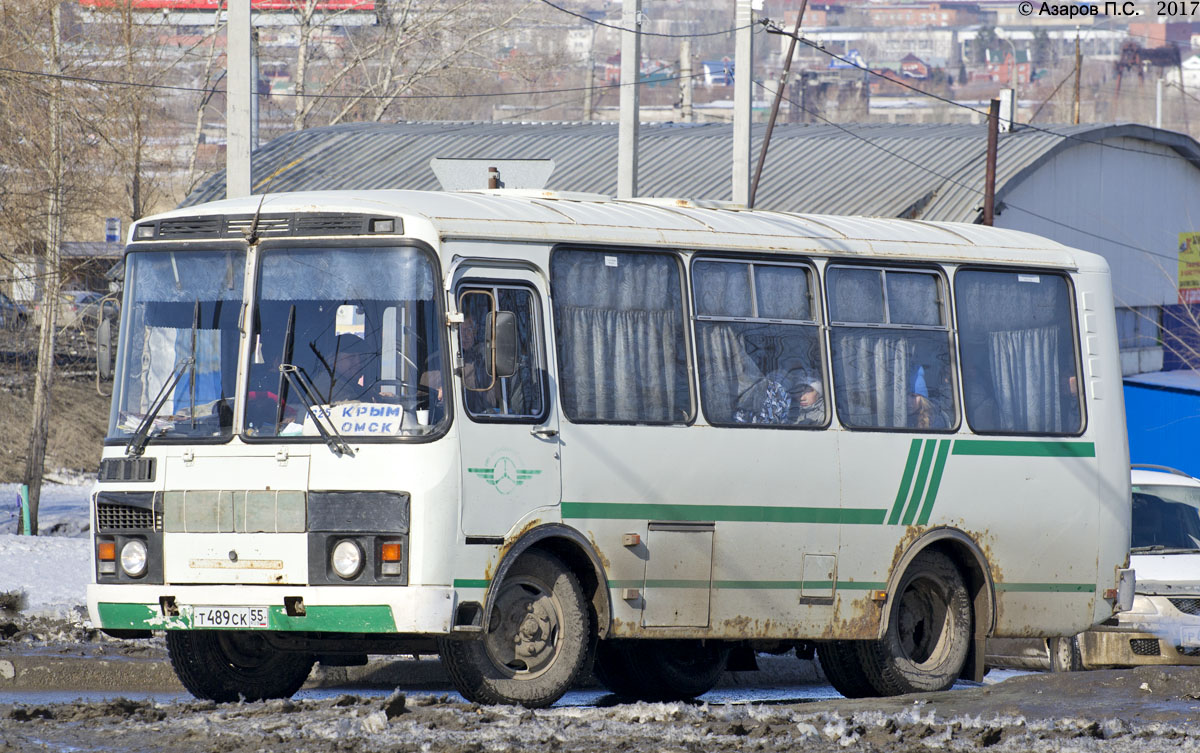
661	671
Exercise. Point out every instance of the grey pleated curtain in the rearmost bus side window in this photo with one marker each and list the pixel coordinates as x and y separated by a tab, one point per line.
1029	381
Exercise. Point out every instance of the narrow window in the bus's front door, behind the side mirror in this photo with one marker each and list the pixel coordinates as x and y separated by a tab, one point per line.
503	375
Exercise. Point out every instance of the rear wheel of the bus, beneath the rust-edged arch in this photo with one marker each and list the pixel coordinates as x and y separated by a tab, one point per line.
929	631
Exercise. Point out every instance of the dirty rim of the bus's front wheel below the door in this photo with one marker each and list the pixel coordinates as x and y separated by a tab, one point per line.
525	629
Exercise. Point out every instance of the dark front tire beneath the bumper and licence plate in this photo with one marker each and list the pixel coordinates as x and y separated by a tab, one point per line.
229	666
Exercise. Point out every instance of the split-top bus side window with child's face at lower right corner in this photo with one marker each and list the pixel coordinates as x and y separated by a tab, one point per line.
759	345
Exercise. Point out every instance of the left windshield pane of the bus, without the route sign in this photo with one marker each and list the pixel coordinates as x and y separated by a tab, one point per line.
178	359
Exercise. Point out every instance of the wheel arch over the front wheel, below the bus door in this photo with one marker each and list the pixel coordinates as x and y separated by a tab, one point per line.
577	552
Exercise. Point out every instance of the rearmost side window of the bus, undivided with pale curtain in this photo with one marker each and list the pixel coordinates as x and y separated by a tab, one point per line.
1021	372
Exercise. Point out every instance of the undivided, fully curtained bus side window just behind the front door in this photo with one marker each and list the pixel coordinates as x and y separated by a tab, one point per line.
620	332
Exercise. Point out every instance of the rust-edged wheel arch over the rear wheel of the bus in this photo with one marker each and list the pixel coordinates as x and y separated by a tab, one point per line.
973	563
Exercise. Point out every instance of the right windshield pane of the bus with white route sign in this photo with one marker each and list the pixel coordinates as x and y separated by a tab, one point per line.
349	338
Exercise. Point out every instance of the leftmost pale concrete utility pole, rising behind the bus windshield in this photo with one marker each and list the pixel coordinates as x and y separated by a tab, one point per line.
238	93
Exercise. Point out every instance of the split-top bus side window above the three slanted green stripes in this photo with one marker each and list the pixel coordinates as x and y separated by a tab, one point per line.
891	350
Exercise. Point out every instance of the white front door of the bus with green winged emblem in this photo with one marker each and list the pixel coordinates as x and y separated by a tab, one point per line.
507	424
